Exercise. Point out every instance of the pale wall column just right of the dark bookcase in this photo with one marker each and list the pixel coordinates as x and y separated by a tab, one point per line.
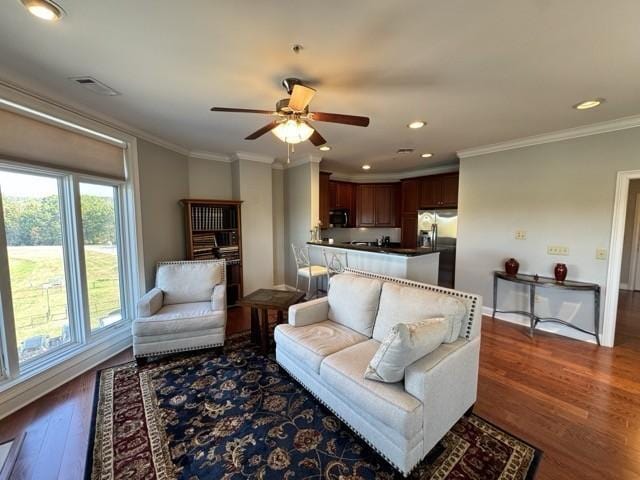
252	183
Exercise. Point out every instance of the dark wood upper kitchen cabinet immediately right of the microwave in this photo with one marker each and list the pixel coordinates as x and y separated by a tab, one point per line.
377	205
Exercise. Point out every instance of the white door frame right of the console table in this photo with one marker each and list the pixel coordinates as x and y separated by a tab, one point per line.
615	255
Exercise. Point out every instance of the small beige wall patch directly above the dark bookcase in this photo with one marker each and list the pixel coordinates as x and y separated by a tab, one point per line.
209	179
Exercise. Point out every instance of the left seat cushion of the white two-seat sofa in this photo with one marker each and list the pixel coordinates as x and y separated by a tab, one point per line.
312	343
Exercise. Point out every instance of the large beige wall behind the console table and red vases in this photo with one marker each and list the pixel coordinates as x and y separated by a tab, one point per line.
561	193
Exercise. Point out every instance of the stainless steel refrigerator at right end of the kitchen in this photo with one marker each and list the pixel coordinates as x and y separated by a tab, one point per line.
438	229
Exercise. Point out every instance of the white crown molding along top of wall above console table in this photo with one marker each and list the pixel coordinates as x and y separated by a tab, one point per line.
558	136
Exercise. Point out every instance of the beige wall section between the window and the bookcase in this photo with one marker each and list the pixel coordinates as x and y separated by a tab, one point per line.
164	181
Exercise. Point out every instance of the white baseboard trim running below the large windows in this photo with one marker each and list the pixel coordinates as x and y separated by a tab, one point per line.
20	392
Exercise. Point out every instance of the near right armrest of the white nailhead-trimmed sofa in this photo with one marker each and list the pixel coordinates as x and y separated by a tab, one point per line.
446	382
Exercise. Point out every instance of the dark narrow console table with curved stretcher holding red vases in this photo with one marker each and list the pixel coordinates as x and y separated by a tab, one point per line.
534	281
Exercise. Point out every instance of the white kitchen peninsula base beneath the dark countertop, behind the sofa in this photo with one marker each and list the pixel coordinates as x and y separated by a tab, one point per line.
419	264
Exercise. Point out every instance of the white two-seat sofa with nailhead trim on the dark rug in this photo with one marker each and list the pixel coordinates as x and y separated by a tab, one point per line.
328	343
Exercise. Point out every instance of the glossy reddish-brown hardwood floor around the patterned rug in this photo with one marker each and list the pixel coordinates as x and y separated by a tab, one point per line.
580	404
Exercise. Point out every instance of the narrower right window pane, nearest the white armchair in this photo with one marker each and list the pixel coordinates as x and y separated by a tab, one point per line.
102	269
